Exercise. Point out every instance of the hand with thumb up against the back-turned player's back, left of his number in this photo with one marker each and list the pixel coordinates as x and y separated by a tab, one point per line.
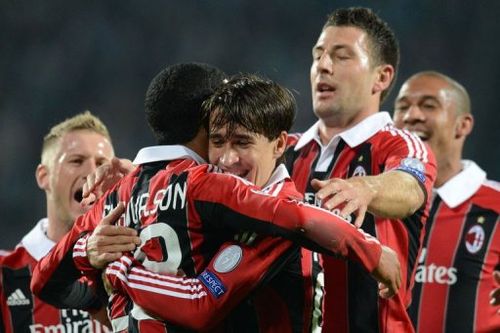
108	242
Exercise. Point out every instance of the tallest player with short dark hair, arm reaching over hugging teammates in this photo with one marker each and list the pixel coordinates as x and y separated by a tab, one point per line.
362	163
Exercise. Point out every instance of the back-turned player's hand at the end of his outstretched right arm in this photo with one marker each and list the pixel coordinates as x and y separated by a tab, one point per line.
388	273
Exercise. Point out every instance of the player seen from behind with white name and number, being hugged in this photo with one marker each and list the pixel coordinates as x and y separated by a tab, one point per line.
188	210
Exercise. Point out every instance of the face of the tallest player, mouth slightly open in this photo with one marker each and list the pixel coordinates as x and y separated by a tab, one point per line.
342	77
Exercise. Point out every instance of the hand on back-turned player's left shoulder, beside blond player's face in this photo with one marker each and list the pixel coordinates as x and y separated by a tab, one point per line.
103	178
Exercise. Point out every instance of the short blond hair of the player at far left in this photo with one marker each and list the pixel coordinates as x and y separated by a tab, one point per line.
82	121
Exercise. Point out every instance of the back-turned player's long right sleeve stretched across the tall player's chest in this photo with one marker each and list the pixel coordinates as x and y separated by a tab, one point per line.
238	206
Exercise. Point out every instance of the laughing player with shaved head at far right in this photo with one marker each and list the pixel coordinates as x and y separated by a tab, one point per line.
461	247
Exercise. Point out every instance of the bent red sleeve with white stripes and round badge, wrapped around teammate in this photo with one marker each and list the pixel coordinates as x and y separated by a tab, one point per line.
201	302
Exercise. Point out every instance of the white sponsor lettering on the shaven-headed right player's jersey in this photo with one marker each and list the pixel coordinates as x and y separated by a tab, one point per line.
433	273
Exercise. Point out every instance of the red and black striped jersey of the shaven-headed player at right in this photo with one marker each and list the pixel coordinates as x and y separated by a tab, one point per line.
461	250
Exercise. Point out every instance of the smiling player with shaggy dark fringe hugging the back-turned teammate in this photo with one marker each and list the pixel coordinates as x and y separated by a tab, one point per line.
244	142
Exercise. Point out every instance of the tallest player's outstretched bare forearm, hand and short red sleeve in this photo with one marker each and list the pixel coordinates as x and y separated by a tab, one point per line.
396	193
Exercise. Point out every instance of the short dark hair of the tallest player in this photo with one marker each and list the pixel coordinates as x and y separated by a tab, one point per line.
384	45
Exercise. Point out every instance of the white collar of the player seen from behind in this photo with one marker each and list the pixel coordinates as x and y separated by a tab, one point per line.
166	153
